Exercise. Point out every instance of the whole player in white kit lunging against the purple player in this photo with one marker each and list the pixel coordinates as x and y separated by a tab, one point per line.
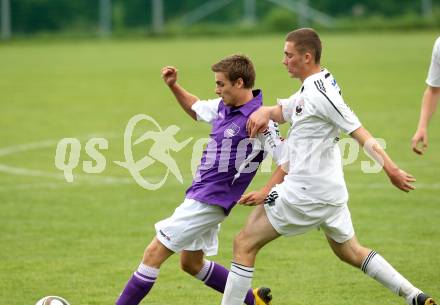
309	191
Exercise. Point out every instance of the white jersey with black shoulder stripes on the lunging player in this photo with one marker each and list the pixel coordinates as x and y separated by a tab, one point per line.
316	113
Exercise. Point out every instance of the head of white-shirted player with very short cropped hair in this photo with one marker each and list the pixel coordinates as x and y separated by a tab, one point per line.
302	51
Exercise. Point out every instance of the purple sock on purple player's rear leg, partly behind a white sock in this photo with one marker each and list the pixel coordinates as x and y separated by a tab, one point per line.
216	276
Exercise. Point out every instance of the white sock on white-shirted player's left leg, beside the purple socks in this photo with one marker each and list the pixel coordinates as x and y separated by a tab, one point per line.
238	283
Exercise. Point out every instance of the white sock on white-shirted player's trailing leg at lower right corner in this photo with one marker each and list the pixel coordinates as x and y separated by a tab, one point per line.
379	269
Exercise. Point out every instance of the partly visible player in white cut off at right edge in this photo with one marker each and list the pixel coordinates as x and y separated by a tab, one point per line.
429	101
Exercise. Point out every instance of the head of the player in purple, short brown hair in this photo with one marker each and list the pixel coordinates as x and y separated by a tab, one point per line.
234	75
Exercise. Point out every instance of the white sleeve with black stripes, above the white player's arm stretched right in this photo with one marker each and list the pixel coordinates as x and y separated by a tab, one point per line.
332	108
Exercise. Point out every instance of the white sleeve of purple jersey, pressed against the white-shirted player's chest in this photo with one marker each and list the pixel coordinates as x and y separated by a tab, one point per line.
271	142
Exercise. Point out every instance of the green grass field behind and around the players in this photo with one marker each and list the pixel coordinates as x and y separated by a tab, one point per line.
82	240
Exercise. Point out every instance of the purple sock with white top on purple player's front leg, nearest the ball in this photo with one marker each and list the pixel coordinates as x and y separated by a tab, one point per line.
138	286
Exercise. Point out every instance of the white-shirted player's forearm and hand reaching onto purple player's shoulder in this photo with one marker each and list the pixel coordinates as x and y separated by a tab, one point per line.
259	120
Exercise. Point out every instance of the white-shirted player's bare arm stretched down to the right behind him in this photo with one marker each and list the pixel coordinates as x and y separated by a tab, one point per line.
398	177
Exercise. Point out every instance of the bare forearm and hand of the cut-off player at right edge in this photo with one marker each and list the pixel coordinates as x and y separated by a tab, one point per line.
429	104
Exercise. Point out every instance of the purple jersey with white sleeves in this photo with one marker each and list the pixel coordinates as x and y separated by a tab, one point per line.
230	159
